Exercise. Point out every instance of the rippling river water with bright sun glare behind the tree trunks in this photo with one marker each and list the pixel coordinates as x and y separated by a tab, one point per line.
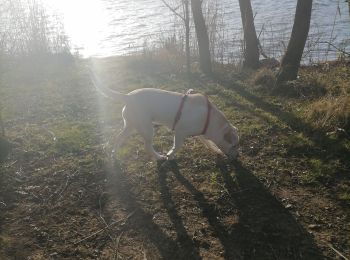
118	27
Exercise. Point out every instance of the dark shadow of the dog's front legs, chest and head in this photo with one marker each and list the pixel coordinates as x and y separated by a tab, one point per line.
265	228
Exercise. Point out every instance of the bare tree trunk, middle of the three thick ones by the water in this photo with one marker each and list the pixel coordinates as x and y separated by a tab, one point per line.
251	44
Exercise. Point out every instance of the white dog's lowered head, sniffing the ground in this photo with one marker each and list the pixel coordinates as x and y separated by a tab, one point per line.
230	141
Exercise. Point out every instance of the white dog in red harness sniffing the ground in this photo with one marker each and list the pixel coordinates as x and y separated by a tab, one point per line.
187	115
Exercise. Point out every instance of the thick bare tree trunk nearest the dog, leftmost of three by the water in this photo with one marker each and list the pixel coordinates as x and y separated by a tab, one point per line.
202	37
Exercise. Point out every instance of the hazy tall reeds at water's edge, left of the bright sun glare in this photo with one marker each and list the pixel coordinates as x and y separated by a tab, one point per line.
27	29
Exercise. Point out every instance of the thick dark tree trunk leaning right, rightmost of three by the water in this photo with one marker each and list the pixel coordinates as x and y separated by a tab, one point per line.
291	60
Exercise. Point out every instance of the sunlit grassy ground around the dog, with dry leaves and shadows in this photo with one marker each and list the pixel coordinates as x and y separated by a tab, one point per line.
287	197
